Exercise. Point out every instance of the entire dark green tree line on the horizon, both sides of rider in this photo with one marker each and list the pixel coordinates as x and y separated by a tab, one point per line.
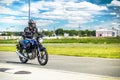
57	32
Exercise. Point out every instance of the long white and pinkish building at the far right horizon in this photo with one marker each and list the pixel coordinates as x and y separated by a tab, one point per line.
107	32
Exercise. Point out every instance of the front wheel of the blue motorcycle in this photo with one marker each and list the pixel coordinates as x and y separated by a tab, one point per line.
43	57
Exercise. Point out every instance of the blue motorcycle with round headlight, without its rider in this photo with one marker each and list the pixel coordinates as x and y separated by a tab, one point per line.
29	49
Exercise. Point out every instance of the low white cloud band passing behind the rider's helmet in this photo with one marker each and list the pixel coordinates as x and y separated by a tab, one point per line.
23	22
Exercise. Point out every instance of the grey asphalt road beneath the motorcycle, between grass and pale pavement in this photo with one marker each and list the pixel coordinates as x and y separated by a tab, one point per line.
97	66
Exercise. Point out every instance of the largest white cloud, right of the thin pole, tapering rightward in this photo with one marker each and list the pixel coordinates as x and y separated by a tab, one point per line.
71	11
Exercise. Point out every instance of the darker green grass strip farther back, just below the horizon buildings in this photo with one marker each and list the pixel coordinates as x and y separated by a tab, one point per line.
93	40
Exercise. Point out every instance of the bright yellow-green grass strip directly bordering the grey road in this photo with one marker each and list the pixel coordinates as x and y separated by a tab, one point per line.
76	49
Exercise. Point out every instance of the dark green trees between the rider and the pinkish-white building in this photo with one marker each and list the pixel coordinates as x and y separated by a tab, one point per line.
61	32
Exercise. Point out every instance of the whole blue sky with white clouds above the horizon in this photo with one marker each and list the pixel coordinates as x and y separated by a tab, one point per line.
54	14
